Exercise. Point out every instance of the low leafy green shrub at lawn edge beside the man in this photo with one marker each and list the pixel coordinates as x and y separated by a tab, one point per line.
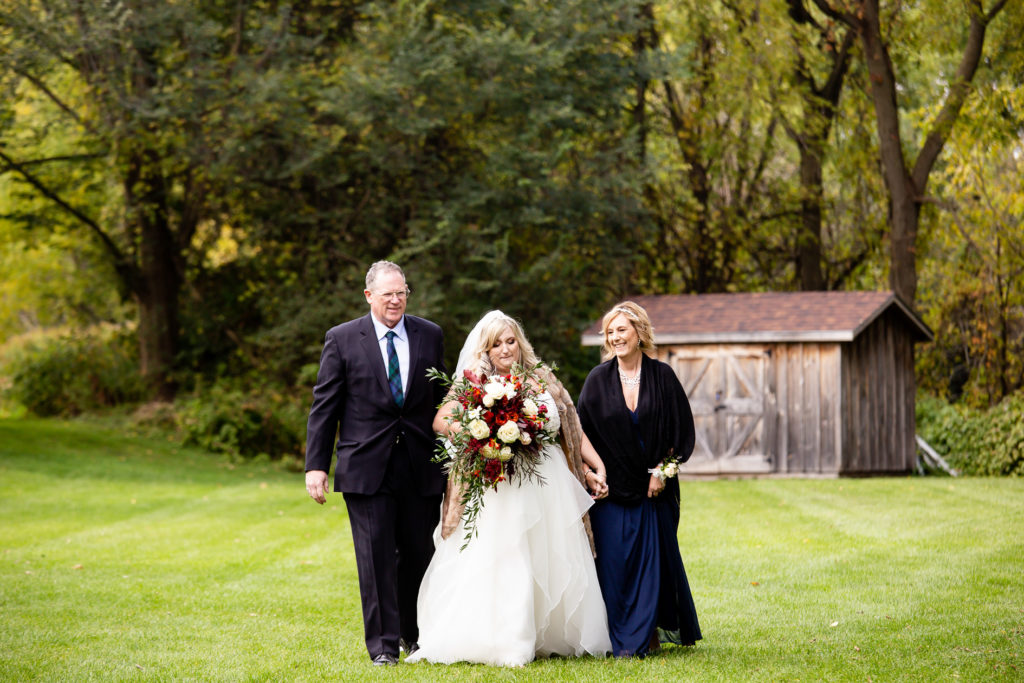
246	423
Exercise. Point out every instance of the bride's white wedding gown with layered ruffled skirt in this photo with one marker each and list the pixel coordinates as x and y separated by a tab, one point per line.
526	586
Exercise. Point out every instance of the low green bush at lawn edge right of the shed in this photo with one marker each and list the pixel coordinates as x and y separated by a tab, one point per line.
976	442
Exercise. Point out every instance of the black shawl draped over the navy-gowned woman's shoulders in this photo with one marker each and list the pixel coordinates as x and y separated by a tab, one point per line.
666	425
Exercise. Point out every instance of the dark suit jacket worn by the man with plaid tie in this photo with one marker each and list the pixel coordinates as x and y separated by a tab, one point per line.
353	399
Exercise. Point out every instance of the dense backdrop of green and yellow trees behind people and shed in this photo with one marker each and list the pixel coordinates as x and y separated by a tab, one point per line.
221	175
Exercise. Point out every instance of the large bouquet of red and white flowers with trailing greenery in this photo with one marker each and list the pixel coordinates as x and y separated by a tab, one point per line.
500	430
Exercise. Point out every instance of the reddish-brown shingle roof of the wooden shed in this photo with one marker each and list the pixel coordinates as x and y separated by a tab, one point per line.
766	317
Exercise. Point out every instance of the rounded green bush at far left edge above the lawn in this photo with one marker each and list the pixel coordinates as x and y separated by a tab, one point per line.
70	373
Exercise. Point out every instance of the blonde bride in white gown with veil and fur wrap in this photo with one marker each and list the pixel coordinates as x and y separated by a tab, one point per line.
526	586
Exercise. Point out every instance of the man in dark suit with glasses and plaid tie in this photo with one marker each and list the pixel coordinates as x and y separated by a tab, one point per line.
373	392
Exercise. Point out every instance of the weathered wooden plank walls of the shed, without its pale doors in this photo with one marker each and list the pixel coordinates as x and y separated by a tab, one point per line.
832	408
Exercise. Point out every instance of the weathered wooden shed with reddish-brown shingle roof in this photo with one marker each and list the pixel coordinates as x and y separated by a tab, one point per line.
793	383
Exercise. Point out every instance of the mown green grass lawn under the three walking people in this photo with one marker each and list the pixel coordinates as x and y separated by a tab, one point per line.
132	559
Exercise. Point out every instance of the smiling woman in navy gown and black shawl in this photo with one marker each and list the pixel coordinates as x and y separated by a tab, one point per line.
636	417
